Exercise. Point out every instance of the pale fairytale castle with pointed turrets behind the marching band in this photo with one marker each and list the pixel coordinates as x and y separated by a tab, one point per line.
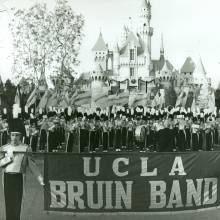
129	67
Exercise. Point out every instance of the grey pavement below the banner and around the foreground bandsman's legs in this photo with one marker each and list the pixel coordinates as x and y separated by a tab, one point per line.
33	208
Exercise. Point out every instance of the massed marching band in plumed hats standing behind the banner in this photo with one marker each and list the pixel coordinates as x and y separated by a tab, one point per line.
119	129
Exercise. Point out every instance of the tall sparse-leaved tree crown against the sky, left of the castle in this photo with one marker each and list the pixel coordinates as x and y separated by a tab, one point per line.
45	41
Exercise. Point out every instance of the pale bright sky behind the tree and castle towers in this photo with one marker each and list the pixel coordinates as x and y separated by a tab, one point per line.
189	28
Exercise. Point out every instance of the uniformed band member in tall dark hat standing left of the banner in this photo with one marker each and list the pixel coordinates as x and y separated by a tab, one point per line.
15	158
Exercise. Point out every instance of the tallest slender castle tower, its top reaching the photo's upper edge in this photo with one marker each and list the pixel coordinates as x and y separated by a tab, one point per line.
146	31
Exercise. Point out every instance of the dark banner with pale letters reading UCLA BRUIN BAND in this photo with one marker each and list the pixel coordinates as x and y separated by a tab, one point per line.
132	182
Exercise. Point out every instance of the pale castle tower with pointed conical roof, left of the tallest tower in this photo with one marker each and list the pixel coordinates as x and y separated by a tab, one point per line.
100	51
